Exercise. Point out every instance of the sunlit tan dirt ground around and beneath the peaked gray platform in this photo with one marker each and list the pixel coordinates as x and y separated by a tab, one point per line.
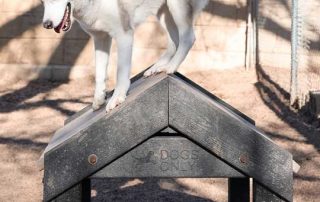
30	112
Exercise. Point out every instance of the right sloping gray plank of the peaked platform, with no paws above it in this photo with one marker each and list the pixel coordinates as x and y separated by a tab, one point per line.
230	137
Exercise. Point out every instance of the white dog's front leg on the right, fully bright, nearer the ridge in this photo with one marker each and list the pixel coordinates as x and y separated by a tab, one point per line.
125	42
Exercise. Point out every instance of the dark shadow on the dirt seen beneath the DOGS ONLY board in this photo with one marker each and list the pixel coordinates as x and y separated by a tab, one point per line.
147	190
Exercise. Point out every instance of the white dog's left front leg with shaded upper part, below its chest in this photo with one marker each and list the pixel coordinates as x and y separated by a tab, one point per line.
102	44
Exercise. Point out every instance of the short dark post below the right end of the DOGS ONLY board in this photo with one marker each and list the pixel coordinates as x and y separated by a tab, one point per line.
239	190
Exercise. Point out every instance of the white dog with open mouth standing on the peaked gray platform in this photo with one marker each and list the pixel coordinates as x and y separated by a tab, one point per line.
106	19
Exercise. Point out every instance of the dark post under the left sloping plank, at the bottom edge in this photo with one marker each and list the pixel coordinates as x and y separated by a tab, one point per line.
79	193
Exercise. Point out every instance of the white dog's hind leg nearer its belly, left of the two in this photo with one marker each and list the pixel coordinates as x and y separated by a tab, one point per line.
166	21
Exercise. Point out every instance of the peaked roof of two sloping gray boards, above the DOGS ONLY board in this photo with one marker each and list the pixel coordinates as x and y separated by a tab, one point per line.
156	103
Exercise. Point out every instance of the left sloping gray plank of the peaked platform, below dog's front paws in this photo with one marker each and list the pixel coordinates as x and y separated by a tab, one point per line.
144	113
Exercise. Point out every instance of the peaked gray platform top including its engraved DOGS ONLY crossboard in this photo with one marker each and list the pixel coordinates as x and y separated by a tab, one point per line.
206	138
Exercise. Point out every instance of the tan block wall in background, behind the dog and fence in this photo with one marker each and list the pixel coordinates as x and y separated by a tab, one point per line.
27	51
